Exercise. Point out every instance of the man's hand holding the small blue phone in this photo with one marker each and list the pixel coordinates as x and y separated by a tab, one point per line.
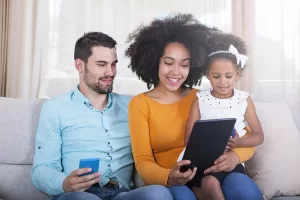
74	183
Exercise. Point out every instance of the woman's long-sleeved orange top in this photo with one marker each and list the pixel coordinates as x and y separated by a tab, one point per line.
157	135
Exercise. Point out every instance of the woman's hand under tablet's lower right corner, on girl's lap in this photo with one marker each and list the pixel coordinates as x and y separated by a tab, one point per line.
225	163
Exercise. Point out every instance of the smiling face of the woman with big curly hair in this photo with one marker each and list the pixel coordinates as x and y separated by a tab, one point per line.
174	66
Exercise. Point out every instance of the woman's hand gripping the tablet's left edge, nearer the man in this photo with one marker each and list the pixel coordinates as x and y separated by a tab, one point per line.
178	178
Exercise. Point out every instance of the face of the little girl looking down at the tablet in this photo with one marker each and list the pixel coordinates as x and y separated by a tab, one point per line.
223	75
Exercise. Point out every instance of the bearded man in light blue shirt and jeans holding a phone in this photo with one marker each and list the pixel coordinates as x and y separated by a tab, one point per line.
90	122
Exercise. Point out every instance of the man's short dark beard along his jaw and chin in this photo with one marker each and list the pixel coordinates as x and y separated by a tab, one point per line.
97	87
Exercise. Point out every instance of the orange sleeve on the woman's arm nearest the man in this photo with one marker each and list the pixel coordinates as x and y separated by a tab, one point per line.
145	163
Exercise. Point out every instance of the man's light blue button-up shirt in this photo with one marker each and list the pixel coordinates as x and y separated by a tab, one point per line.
70	129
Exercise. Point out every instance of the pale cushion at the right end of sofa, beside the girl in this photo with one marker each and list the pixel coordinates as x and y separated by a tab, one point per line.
275	165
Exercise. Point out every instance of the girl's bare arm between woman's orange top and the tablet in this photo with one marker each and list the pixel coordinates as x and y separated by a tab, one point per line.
193	116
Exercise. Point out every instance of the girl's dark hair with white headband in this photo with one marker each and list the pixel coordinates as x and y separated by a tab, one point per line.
219	45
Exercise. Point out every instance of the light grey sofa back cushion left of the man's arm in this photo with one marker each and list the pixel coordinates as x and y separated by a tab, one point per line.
19	120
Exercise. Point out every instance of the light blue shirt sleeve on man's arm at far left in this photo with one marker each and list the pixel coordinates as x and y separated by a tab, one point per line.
46	174
